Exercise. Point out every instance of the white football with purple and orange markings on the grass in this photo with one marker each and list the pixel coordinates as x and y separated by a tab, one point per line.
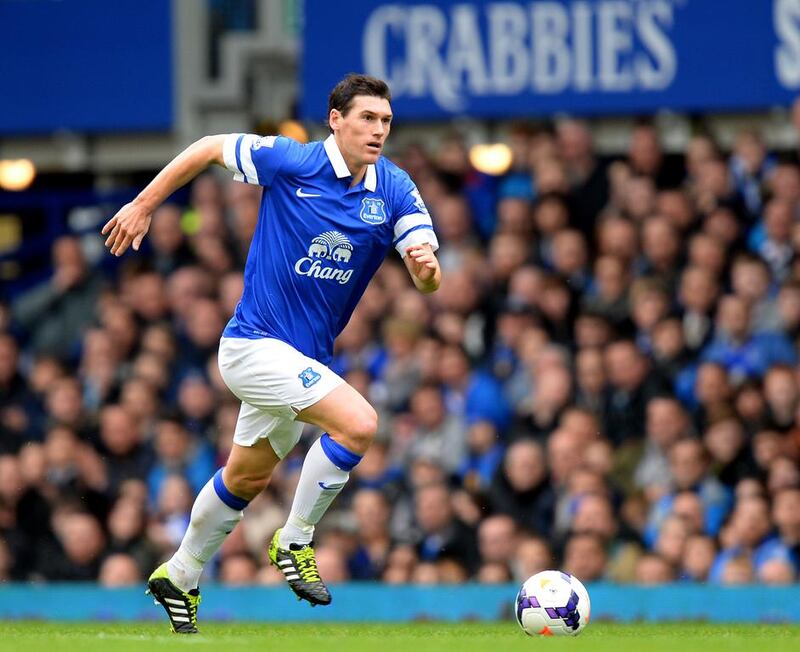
553	603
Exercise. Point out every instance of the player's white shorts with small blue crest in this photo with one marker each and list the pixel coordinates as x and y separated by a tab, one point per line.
275	382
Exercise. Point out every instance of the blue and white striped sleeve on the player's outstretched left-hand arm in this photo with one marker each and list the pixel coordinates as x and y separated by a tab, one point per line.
256	159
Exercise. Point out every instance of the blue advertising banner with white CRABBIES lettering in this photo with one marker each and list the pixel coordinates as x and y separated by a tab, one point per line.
532	57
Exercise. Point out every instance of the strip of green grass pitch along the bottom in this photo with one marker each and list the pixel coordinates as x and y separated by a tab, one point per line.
427	637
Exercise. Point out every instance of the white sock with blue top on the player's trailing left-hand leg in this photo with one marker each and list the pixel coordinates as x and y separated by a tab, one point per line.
212	521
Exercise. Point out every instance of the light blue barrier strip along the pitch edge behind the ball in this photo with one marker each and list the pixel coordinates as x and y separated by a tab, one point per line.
382	603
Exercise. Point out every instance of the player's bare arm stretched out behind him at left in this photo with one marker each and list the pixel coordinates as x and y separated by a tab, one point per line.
131	223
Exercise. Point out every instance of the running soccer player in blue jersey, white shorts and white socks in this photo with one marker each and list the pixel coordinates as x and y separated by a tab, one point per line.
329	212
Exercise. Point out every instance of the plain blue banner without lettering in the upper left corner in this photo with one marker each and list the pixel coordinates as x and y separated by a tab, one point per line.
85	65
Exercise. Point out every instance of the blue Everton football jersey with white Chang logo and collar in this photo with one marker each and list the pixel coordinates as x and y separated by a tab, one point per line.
318	241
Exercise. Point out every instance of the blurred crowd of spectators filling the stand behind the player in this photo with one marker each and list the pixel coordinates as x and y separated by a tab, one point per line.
606	381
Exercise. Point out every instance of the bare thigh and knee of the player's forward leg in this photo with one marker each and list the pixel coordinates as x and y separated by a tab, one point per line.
346	415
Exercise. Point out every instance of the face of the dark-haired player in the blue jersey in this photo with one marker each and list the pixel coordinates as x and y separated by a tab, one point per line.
362	132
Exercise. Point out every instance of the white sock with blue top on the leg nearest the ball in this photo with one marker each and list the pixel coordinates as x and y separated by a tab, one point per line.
321	480
